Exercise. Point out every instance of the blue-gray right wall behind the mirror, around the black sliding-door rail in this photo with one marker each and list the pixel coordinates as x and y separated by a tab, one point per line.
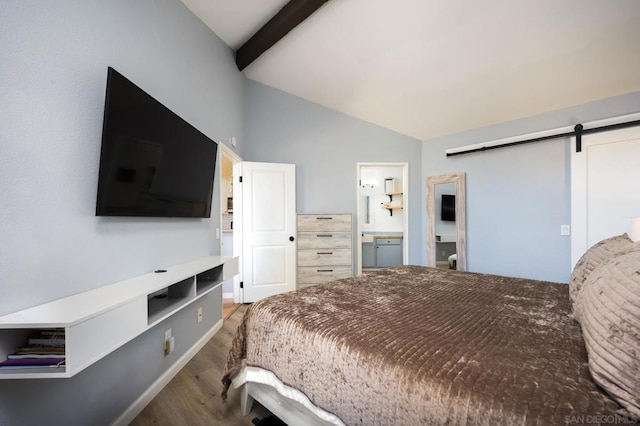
518	197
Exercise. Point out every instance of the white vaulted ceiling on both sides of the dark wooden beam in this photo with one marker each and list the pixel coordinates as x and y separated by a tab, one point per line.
427	68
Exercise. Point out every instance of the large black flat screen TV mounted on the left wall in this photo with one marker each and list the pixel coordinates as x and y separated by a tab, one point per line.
152	162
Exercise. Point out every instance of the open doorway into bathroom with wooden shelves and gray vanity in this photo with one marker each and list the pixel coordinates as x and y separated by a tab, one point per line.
383	199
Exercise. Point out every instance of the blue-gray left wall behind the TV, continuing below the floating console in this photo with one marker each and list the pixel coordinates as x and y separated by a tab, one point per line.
54	60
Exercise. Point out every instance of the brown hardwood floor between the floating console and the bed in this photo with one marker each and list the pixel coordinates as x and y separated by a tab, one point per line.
193	396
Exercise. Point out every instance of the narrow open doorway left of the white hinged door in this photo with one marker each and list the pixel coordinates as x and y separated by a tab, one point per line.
228	159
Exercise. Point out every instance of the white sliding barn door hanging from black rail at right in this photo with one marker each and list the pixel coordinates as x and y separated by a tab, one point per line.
605	178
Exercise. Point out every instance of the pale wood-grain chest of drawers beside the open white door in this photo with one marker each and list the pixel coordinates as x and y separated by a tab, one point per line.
324	248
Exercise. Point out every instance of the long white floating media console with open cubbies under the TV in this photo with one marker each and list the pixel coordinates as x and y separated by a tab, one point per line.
99	321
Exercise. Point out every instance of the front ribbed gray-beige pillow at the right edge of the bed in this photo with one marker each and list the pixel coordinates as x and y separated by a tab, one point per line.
610	319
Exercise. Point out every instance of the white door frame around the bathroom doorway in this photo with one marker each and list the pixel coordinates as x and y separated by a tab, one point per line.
405	209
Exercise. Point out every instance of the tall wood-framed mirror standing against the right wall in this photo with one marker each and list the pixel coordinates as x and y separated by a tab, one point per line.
446	218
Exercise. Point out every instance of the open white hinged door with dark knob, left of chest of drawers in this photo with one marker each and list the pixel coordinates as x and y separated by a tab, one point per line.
266	206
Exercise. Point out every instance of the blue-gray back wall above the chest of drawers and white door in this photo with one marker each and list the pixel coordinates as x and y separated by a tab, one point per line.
325	146
